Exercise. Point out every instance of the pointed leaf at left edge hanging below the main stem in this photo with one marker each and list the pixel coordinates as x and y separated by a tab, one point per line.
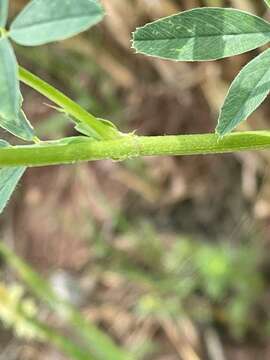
9	177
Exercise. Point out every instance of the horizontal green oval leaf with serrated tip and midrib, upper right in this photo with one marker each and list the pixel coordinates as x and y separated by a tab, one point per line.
202	34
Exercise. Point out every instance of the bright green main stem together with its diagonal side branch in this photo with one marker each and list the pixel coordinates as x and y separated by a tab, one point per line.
115	145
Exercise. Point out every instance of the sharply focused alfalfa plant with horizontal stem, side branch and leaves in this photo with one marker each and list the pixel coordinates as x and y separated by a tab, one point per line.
200	34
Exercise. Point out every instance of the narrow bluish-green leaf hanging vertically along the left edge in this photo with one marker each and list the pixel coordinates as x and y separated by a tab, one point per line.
9	84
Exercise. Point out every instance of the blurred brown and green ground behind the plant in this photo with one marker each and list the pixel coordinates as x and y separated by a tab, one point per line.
169	257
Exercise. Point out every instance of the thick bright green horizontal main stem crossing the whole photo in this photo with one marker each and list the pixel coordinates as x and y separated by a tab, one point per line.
130	146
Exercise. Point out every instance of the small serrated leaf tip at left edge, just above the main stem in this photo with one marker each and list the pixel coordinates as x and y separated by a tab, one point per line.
19	126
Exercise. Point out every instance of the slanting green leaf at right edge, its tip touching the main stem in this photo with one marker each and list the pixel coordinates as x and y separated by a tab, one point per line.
247	92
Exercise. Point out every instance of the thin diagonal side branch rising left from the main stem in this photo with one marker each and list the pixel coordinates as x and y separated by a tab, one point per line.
67	105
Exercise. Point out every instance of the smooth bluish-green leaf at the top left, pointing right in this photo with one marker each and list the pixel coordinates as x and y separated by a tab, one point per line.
43	21
